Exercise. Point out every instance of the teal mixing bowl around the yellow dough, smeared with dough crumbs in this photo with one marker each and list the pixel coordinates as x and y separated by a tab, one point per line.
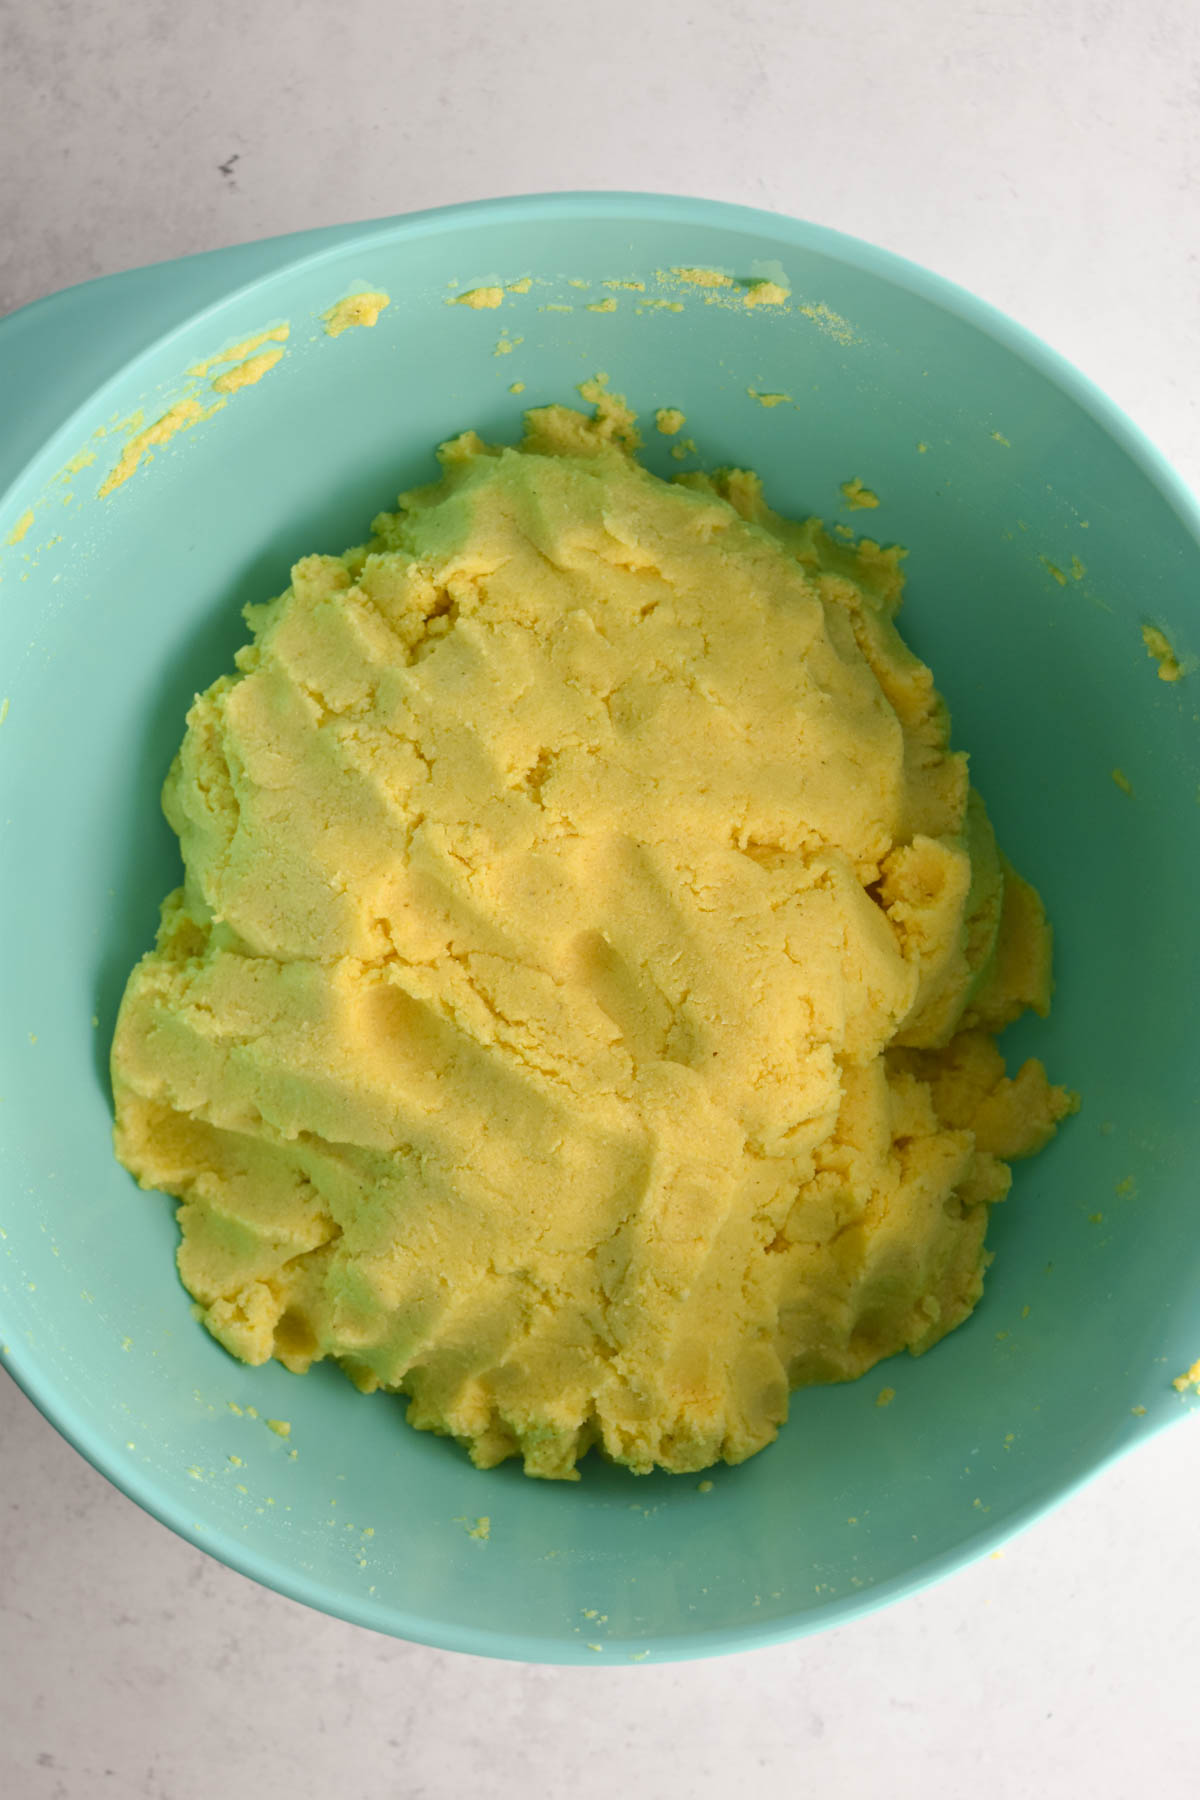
1043	537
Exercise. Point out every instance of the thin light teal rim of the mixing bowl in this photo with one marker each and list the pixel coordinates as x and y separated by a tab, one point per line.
897	271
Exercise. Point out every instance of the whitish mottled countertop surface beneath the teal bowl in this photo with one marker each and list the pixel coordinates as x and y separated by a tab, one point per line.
1044	154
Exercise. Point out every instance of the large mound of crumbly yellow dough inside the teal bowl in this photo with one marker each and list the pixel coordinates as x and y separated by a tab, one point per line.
578	1007
